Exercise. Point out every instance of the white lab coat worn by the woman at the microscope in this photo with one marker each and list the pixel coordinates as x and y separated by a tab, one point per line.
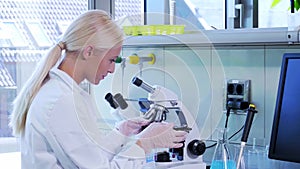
61	131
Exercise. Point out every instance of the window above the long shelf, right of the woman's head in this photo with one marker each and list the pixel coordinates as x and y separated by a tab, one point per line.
206	14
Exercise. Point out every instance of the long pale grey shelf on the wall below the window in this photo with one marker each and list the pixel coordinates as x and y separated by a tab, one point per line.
255	36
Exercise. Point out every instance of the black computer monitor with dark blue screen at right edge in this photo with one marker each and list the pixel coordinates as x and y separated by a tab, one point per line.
285	136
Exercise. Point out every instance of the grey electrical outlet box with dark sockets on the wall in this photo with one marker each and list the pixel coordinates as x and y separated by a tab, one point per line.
237	95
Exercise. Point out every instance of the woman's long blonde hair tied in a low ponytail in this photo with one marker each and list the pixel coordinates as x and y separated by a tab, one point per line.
93	27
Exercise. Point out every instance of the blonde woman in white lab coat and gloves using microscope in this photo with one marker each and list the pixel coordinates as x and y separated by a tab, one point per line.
56	119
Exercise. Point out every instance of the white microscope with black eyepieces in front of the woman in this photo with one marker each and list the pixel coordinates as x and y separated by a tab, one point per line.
162	105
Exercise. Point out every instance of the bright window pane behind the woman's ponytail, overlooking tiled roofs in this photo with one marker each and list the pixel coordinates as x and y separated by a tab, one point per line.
28	28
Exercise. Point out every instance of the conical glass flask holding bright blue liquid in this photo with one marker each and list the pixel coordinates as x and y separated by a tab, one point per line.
222	157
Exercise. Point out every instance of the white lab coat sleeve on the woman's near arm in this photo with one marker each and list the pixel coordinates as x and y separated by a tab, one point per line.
81	149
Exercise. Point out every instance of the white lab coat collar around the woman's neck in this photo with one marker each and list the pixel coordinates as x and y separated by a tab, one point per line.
69	81
